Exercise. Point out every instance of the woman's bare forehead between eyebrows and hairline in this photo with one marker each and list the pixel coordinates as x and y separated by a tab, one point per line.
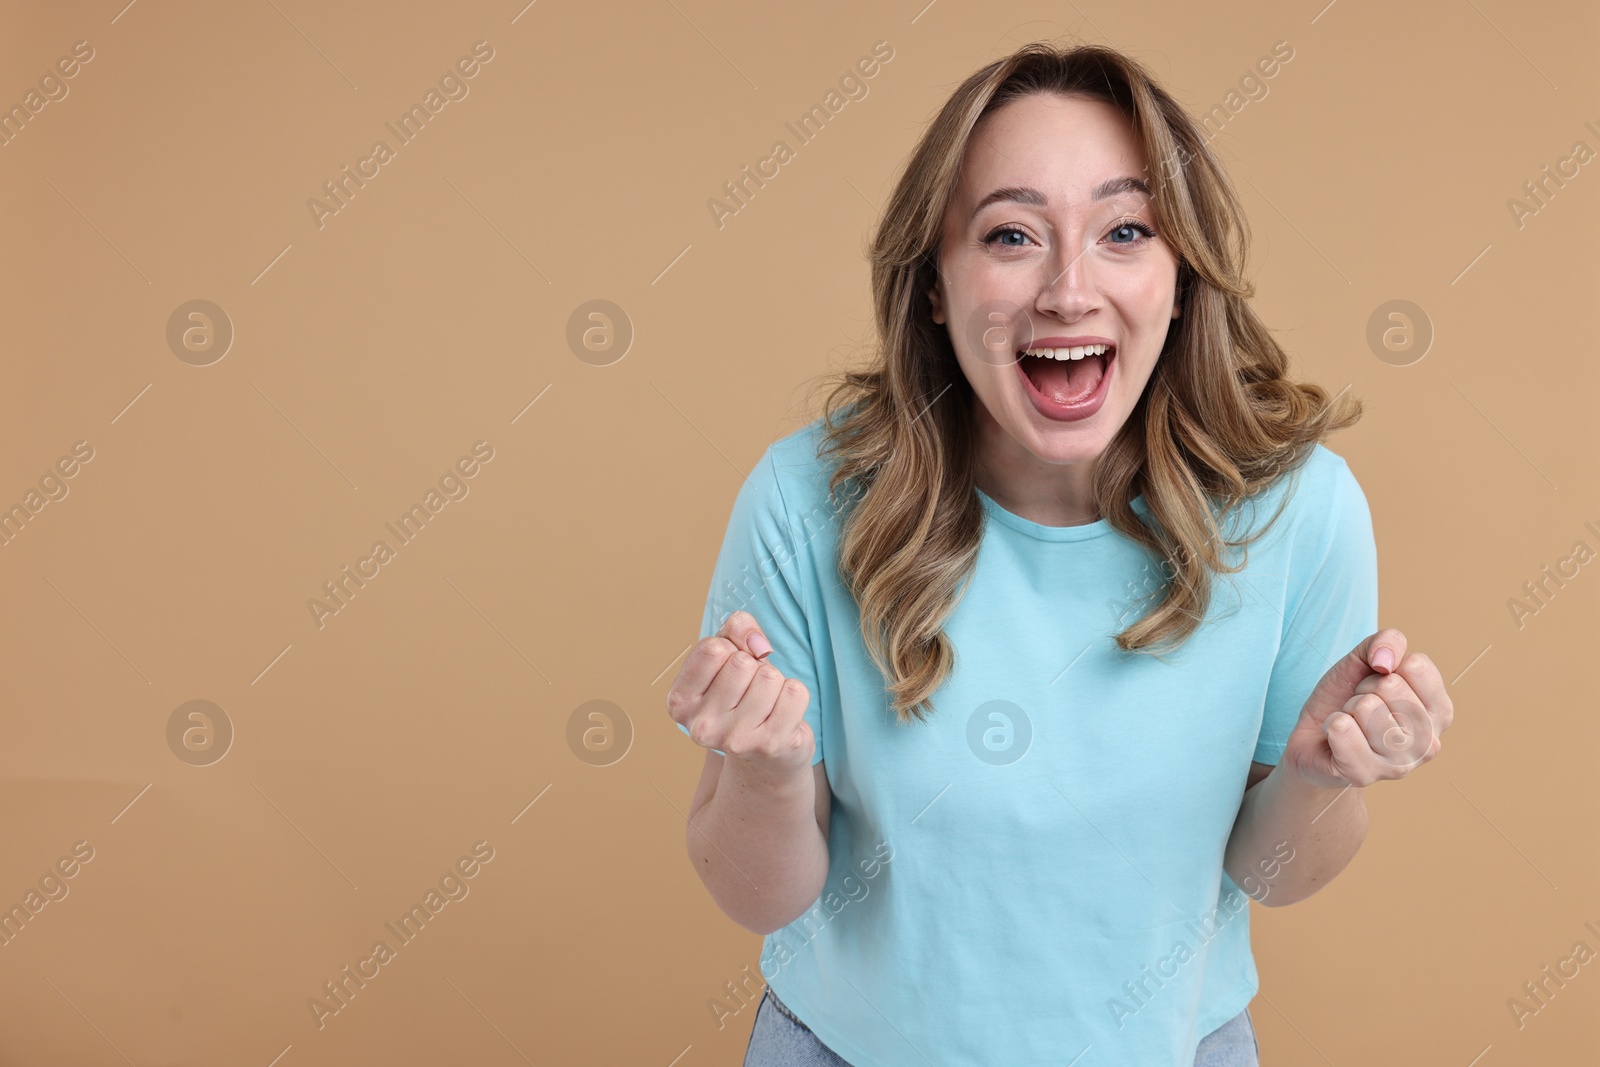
1062	145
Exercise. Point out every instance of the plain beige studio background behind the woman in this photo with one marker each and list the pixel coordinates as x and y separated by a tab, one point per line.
433	311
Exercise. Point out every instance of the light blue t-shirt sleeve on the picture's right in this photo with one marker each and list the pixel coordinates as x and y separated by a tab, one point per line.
1332	607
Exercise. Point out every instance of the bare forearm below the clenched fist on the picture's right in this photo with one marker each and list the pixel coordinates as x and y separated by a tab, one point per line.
1292	839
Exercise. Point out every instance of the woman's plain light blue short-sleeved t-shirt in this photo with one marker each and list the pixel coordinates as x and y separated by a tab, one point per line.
1036	873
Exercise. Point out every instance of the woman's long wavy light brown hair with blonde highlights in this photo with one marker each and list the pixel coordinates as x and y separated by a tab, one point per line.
1217	422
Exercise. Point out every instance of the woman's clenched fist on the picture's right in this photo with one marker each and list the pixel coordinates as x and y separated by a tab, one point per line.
1377	716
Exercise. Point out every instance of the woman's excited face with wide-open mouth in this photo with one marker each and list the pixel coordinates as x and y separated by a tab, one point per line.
1050	242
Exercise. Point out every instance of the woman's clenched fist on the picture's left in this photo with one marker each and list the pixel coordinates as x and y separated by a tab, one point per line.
729	700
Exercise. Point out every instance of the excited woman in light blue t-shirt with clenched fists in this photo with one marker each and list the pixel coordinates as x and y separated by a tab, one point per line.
1050	757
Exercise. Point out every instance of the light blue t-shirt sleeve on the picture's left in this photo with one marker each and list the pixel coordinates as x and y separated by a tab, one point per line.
761	572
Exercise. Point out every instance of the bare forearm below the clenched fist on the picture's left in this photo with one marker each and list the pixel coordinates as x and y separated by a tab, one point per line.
759	850
